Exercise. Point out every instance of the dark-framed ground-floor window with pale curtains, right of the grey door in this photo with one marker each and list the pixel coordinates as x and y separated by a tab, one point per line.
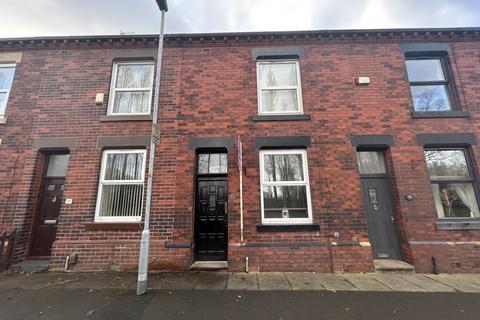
453	183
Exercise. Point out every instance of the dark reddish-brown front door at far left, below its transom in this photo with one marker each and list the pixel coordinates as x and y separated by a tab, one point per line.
45	227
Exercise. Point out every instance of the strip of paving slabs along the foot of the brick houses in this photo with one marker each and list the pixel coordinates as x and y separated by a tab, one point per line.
265	281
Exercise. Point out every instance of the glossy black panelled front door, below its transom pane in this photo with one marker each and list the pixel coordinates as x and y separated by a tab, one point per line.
211	219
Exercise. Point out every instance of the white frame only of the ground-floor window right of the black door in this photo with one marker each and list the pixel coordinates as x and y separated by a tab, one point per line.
305	182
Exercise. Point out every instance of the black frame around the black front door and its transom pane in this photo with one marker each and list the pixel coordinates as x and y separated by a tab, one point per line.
208	177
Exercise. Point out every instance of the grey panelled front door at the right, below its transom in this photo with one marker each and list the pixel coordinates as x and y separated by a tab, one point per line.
382	231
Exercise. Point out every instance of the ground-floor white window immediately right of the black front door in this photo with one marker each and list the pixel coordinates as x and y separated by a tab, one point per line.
285	188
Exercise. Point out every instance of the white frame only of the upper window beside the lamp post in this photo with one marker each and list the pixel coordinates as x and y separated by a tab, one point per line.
114	89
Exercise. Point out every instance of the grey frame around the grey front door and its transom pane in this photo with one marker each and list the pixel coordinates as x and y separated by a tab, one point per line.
388	179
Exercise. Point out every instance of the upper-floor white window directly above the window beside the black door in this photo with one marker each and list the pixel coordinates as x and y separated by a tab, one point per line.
279	88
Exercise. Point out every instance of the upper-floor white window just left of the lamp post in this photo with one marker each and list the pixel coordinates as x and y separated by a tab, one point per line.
131	88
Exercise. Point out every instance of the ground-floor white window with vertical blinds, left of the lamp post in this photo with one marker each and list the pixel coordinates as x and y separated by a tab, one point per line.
120	191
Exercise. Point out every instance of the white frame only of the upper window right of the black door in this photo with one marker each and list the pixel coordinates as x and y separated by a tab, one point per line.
298	88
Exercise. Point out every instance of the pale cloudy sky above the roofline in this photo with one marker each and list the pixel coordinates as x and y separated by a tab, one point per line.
25	18
